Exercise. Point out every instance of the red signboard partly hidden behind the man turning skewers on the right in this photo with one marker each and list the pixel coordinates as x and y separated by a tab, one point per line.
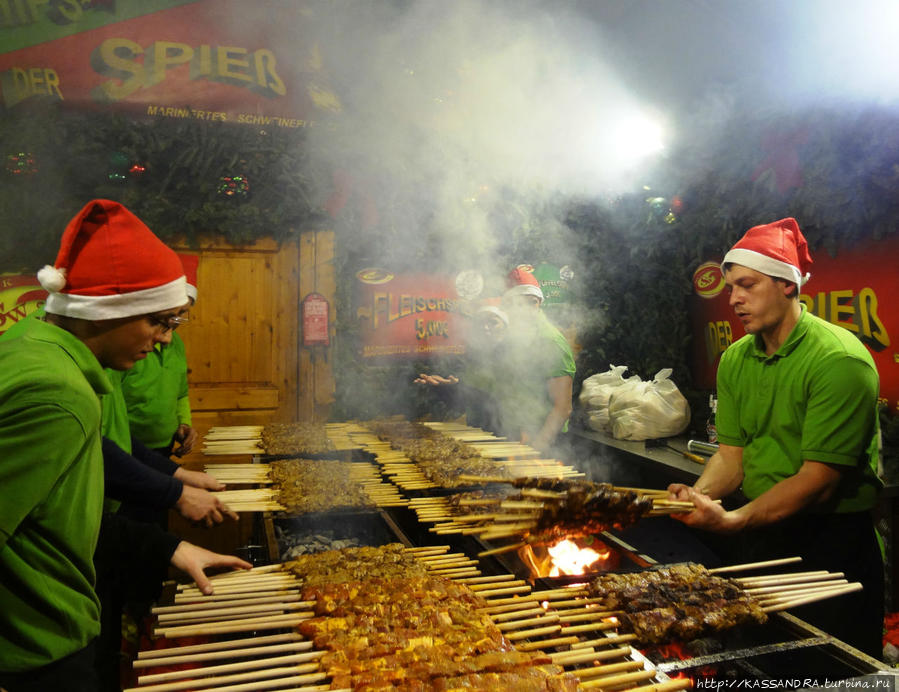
855	289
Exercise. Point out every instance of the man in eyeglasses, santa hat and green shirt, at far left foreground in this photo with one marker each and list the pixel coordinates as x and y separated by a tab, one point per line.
113	282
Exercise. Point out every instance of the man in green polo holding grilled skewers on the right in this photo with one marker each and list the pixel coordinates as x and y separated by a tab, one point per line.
798	432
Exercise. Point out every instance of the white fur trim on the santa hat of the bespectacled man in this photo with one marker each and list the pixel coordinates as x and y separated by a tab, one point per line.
165	297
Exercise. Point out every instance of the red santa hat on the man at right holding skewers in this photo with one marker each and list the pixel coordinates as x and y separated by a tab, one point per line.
777	249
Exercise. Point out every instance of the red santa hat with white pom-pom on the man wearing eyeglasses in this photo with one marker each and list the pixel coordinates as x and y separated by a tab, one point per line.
110	265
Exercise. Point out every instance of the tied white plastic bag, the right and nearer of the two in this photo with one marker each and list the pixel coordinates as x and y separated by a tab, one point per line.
649	410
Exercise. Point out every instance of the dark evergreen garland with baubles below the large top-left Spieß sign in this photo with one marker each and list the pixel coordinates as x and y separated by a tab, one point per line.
81	156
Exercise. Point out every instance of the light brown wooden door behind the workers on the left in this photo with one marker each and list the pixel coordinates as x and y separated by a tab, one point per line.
245	359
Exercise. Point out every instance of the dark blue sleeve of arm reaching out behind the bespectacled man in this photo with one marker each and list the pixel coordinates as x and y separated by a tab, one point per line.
128	480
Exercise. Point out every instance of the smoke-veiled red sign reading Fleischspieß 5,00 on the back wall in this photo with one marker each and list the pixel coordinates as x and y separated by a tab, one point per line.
408	315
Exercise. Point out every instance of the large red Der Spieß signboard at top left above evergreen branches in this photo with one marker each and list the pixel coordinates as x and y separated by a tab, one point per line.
220	60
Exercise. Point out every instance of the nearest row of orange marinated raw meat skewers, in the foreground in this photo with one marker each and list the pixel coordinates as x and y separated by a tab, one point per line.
417	618
